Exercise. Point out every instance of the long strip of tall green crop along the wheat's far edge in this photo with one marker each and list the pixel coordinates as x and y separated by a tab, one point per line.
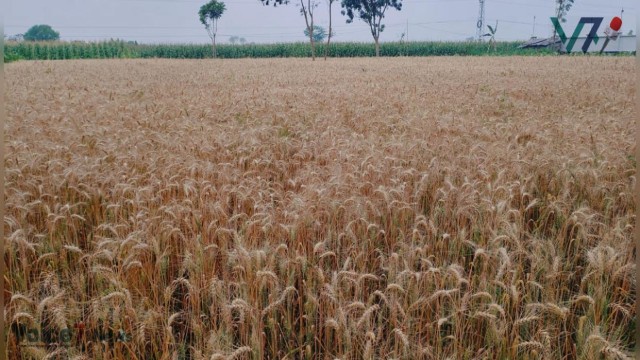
123	49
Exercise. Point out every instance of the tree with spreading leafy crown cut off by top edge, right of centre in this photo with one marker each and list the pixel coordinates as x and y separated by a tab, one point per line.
371	12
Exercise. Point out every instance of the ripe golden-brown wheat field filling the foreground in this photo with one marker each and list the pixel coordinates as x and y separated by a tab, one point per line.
434	208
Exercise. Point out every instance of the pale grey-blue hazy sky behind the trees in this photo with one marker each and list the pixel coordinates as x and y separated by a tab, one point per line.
176	21
